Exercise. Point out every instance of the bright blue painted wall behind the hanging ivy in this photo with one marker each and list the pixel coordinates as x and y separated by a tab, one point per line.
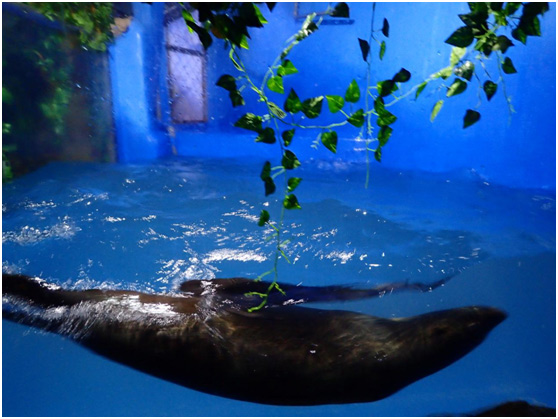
520	152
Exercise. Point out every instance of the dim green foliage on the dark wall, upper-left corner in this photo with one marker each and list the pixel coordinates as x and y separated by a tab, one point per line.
89	24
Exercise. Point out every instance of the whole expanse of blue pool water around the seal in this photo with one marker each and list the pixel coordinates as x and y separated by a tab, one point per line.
150	227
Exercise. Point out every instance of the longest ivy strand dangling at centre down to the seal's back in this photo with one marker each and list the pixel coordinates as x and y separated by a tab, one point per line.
266	126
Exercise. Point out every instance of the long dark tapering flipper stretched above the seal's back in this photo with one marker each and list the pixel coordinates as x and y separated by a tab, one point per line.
244	291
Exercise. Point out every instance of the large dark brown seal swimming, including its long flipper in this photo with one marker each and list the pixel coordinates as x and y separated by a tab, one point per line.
204	338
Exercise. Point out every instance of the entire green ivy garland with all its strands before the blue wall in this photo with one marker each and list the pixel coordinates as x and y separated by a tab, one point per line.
483	27
